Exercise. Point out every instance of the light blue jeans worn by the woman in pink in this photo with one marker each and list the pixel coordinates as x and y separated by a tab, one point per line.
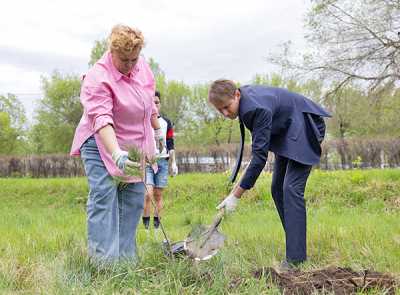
112	214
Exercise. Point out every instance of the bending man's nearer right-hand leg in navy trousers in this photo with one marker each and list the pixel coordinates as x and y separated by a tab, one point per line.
295	211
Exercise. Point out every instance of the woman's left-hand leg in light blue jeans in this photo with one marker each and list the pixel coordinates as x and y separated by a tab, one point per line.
102	206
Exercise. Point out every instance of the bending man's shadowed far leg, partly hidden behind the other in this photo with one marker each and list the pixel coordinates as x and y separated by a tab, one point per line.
278	177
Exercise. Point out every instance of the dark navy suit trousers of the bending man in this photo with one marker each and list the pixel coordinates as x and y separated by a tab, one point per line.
288	184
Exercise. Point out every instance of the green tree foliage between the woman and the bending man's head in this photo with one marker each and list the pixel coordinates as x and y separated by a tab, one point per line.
195	121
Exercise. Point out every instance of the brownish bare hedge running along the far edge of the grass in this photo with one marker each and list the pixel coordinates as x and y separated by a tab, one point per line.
336	154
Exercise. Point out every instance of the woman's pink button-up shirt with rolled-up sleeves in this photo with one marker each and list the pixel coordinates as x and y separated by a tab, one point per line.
125	102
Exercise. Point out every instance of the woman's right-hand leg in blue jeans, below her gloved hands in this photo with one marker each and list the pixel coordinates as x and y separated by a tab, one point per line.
130	208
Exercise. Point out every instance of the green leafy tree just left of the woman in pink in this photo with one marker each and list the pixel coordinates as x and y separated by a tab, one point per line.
58	114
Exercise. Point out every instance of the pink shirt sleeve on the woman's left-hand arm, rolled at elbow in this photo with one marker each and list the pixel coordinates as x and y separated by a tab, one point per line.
98	104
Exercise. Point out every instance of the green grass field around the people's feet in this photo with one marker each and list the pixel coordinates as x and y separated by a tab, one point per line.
353	220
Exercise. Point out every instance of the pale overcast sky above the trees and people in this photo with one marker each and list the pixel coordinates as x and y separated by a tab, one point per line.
193	41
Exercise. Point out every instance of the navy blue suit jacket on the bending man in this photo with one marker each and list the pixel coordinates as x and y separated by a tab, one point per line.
286	123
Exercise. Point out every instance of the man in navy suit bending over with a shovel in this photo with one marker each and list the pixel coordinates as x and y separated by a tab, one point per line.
292	127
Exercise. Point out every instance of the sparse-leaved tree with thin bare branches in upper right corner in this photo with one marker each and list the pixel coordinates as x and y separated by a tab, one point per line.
351	41
